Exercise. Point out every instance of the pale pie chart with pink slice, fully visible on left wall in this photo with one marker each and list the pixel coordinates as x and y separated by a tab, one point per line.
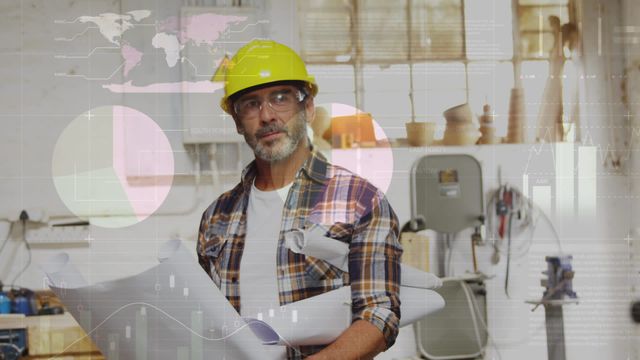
113	166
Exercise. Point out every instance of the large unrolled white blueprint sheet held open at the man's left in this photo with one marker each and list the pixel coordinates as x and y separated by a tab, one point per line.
170	311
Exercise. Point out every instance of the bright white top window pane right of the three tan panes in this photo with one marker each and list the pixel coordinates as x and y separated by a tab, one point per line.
488	30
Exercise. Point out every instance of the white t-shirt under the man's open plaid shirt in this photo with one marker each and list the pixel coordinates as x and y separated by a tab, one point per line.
258	267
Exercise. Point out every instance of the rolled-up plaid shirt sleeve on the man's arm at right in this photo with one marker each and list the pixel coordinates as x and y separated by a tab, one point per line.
374	266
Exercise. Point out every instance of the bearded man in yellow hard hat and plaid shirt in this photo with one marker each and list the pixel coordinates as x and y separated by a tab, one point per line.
289	186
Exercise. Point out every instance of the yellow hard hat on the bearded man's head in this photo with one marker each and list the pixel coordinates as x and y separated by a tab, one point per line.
261	62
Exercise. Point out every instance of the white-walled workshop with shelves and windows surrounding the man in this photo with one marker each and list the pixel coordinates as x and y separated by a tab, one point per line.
503	133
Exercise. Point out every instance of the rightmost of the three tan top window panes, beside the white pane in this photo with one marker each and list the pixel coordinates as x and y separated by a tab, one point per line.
437	29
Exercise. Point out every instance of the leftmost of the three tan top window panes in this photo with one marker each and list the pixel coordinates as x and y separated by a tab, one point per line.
325	30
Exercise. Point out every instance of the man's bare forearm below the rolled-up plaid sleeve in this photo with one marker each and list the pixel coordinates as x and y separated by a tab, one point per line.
362	340
